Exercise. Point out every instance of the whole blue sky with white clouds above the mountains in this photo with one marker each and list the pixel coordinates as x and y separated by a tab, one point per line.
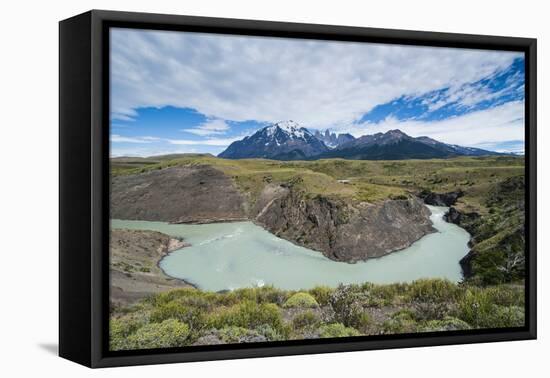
181	92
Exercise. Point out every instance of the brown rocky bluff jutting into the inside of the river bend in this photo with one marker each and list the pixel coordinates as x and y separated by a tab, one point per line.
344	231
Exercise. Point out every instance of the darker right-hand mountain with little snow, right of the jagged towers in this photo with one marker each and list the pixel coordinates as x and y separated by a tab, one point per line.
396	145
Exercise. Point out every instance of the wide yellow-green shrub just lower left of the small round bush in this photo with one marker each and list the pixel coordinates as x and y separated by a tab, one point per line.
248	314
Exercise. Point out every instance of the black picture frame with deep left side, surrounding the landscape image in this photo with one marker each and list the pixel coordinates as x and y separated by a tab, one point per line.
84	186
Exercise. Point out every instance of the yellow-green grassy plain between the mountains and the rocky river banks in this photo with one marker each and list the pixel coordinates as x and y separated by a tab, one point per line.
361	180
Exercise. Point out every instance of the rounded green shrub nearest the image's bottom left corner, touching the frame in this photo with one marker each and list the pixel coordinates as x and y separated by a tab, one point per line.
169	333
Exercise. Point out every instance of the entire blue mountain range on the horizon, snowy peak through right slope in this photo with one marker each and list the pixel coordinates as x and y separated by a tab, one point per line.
289	141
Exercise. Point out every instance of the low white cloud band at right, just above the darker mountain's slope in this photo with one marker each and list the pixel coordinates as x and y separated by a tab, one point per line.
476	129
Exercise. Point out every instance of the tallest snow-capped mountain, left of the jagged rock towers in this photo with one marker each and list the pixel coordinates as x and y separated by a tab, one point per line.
285	140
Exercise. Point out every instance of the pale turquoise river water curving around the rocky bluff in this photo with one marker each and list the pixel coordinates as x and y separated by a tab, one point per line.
242	254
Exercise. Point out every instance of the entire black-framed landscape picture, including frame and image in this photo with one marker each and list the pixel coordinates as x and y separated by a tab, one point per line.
235	188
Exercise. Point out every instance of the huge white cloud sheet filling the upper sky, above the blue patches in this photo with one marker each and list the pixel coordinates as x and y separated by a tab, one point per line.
316	83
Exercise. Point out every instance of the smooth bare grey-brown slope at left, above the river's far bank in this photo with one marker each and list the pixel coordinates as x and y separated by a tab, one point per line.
184	194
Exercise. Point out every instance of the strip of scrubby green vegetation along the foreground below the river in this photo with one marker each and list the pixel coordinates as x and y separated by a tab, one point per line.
192	317
